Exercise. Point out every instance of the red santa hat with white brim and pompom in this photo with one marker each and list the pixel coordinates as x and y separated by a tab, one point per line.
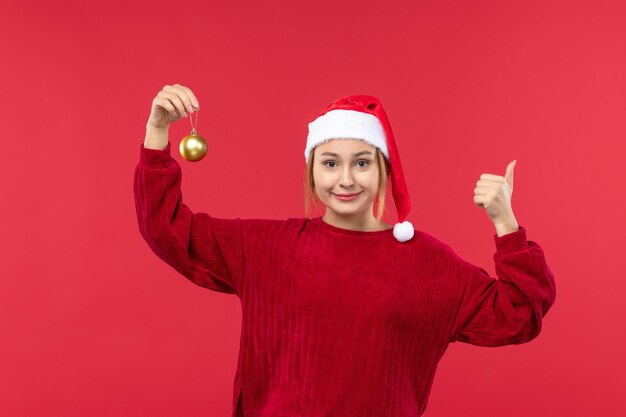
363	117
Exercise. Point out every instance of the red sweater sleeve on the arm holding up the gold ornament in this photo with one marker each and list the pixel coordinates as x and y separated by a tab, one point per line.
204	249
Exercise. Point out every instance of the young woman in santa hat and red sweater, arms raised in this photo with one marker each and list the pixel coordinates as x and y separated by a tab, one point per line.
342	315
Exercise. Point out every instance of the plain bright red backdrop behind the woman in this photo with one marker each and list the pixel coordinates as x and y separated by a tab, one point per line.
94	324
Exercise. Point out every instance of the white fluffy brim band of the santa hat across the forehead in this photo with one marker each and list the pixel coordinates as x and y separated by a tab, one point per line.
346	124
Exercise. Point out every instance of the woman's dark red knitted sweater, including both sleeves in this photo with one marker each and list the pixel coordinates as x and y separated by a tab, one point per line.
337	322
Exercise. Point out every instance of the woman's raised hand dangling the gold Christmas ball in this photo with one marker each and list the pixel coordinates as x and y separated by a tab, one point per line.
171	104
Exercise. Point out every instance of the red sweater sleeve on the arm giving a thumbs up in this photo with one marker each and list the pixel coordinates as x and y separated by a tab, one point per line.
508	310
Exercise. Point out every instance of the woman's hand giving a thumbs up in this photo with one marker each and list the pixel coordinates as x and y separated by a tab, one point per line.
493	193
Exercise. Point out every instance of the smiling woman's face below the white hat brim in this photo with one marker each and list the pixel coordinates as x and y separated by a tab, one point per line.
346	166
